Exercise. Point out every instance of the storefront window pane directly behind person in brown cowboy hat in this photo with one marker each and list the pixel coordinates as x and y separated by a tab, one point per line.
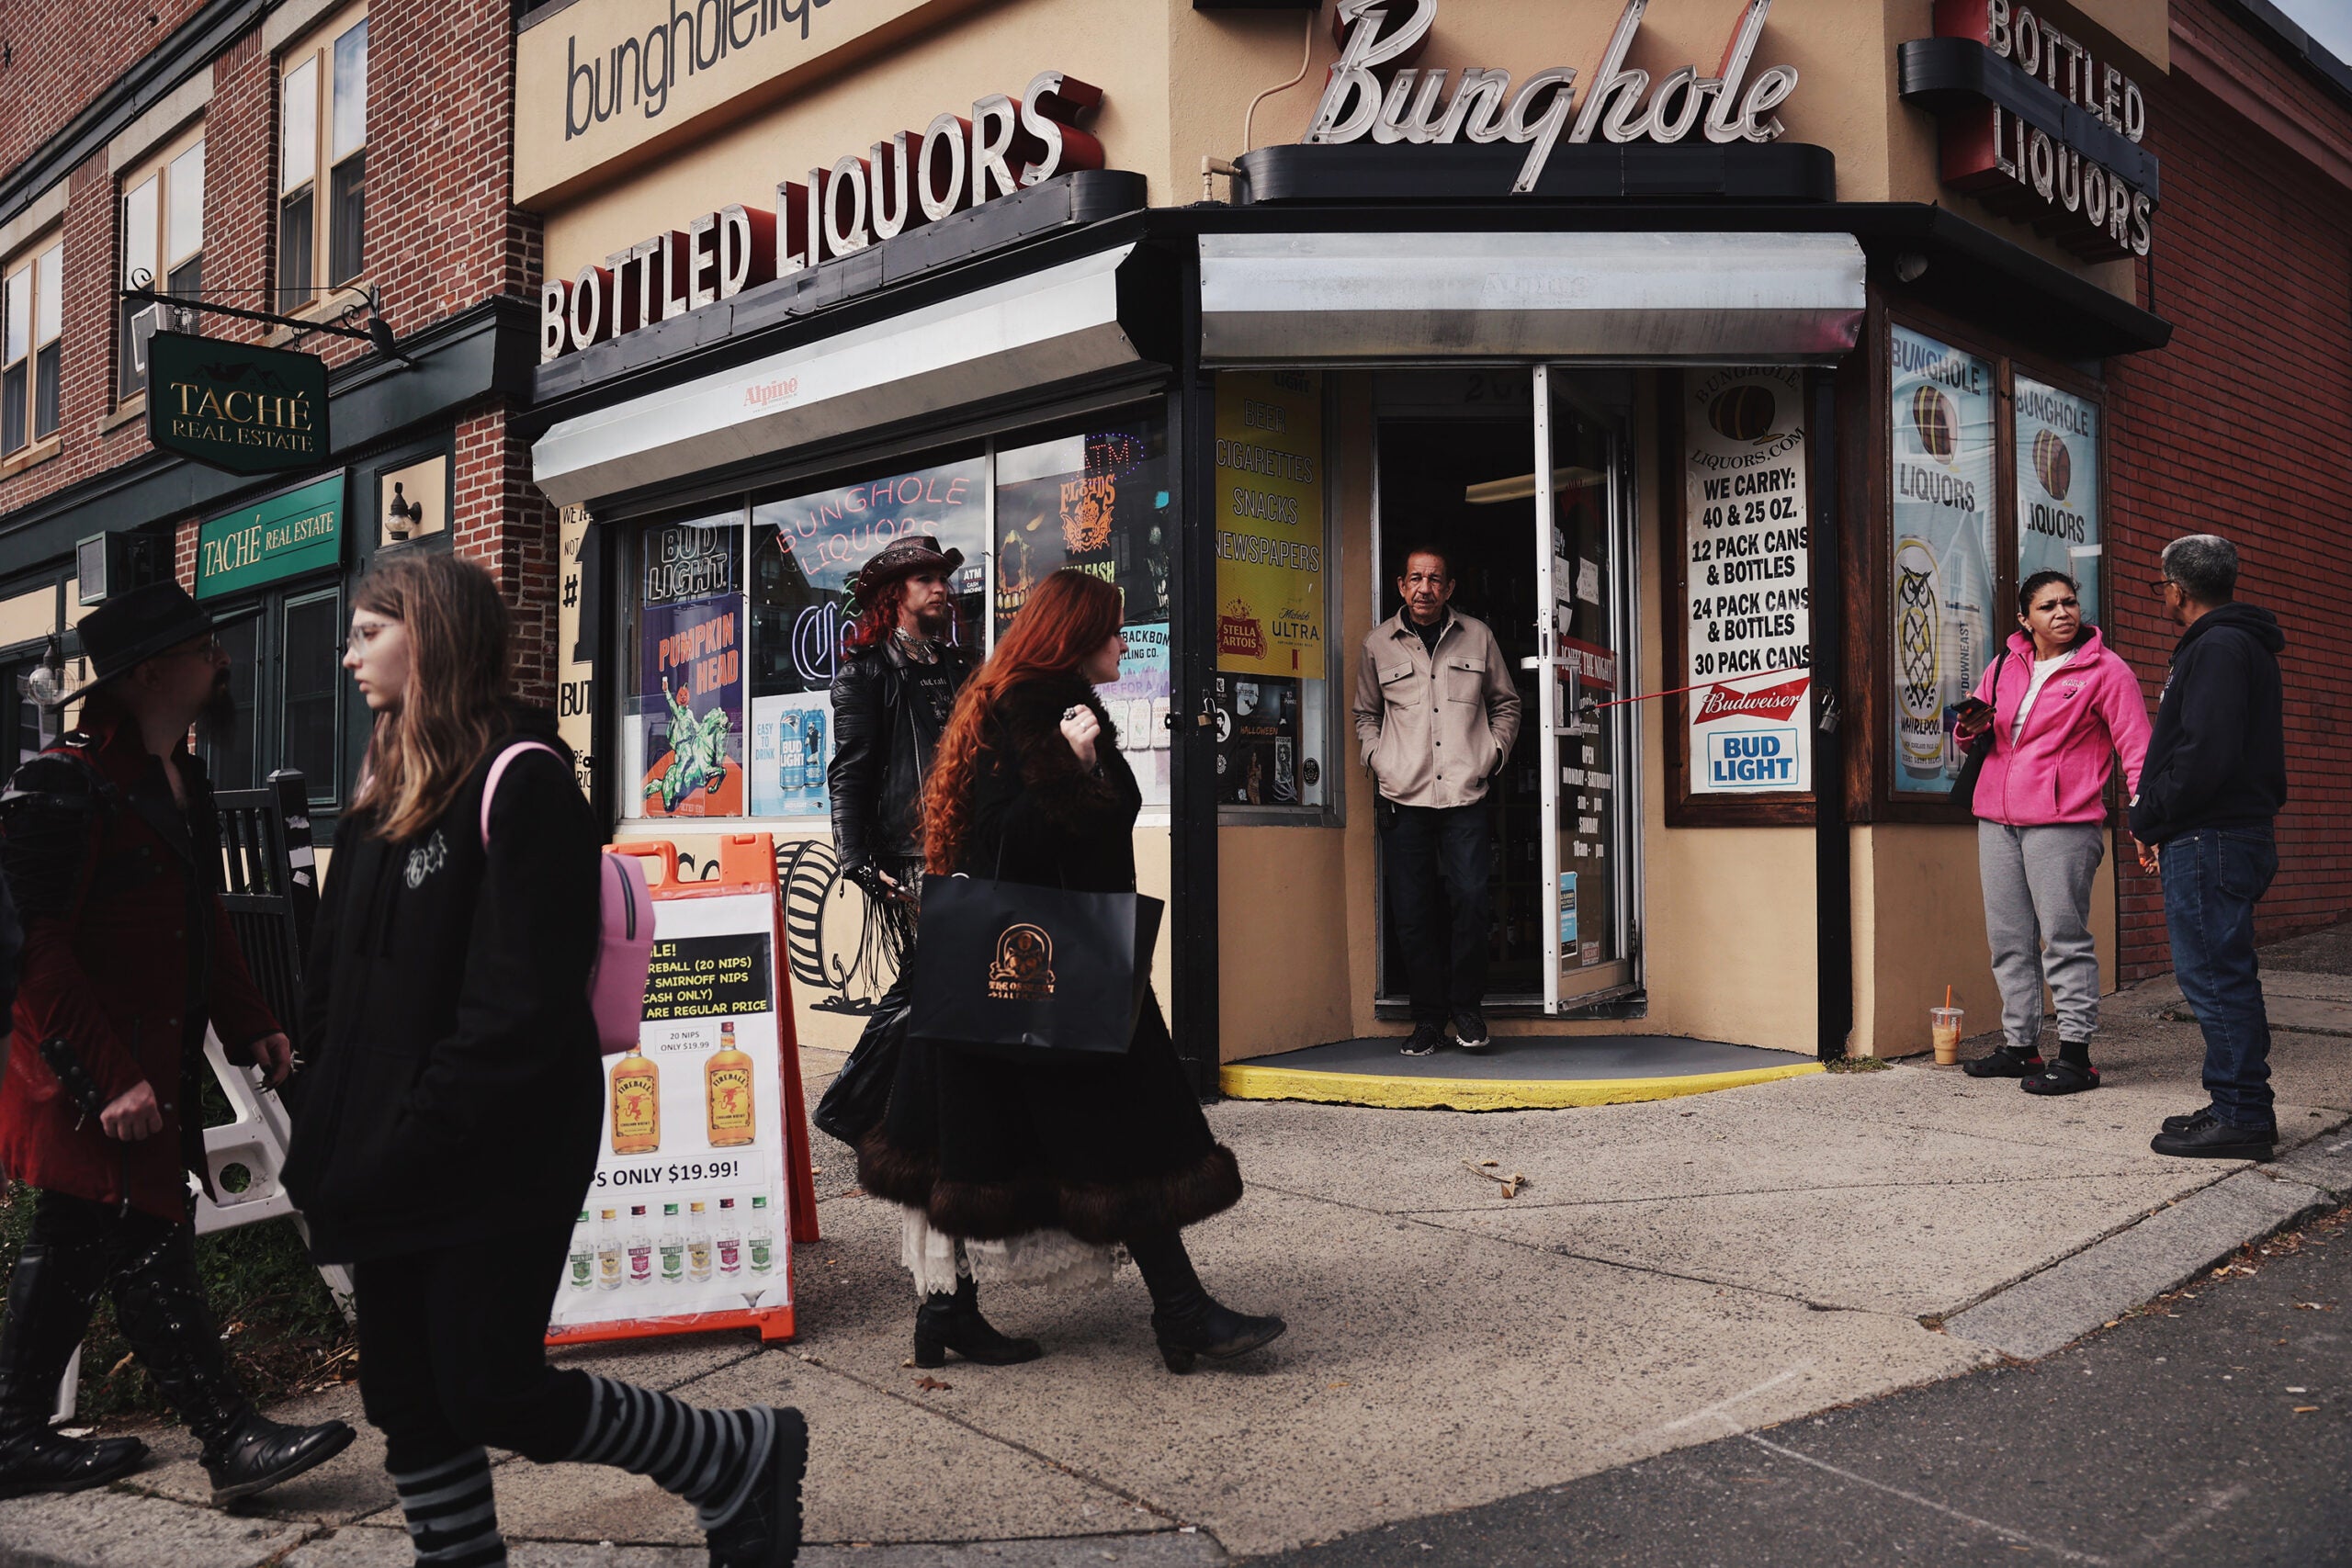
803	556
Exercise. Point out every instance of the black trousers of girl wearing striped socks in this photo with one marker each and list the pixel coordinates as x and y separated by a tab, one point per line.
453	1353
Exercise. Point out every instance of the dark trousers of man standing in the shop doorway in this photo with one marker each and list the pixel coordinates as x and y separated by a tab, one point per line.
1441	862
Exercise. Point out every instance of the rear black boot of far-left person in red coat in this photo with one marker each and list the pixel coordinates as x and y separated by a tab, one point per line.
48	1308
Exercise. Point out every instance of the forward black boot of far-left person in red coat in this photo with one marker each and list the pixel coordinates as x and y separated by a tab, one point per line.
161	1311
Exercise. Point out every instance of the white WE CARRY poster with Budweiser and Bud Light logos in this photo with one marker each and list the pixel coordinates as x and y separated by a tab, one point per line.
1749	565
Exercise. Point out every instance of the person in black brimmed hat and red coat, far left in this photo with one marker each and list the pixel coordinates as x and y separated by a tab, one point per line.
112	852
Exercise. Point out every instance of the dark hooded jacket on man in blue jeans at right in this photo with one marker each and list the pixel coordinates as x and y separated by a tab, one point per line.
2219	751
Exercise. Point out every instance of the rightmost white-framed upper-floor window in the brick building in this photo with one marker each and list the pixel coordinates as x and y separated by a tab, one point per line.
323	163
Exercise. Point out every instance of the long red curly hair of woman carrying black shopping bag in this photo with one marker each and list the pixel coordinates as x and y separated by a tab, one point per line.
1067	617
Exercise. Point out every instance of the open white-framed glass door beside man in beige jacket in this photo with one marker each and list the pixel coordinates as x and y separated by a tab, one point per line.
1584	751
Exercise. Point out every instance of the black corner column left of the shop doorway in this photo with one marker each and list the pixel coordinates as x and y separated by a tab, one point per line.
1191	709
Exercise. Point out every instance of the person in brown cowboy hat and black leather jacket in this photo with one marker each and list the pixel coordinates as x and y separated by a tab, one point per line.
890	706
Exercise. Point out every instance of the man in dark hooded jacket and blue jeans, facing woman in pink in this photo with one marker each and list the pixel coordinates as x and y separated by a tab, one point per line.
2212	784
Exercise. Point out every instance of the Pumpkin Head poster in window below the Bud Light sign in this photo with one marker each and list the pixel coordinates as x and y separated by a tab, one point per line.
693	709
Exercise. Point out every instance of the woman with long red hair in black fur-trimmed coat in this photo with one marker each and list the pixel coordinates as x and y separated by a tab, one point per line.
1034	1170
